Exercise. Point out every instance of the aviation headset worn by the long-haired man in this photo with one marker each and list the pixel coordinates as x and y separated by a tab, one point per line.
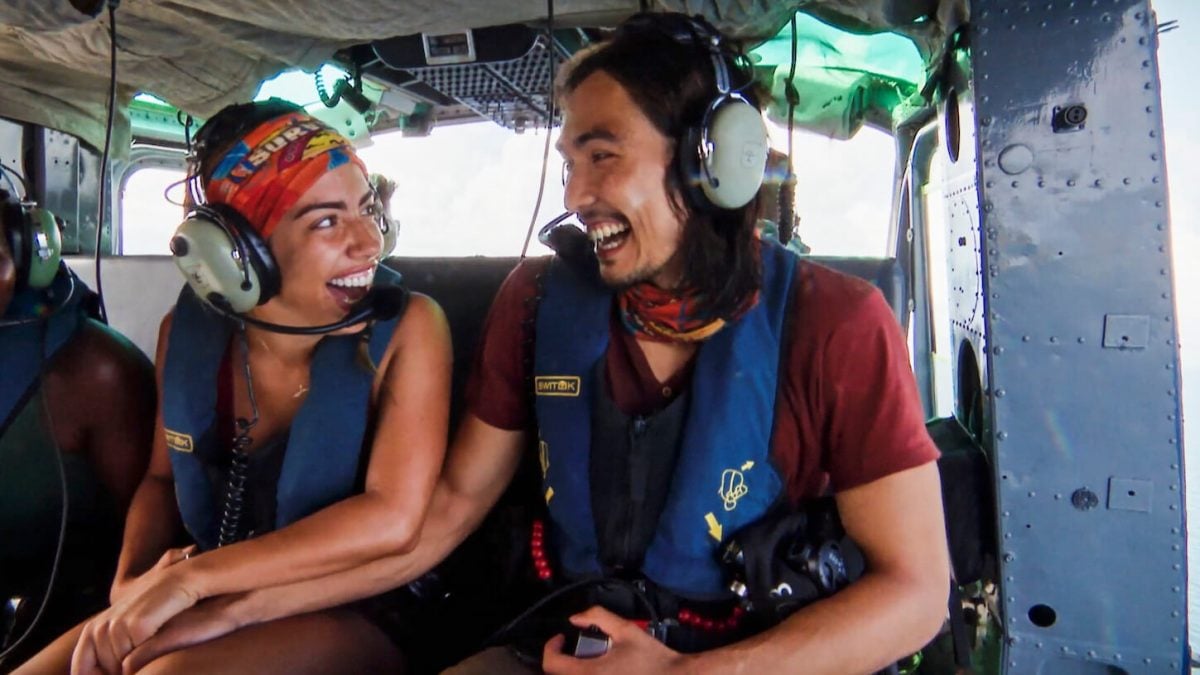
723	159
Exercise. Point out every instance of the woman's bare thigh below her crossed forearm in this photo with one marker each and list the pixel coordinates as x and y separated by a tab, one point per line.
338	641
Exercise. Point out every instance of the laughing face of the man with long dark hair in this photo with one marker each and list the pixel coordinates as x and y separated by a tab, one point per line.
617	165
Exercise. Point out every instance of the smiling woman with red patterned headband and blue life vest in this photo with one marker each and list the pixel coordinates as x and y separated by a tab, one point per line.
261	516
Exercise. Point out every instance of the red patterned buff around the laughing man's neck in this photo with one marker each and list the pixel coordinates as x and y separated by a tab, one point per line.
663	316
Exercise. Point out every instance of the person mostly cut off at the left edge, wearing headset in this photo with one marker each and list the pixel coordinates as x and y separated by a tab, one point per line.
75	392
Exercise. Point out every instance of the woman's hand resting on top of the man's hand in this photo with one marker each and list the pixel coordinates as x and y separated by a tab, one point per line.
110	637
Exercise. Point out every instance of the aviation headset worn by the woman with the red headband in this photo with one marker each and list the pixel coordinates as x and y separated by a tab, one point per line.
224	259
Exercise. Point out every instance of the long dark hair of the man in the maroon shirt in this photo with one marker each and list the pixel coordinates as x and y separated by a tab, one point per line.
673	83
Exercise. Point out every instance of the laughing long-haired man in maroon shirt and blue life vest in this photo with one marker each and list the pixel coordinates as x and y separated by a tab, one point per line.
682	385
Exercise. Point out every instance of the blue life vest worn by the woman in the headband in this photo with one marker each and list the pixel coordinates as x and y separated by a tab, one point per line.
321	465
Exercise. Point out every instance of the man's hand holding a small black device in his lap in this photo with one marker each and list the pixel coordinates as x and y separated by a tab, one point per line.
633	650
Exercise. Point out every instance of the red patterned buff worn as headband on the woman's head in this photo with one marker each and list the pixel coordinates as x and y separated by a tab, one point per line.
273	166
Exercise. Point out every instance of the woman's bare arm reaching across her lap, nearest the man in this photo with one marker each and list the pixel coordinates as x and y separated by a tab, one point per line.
412	397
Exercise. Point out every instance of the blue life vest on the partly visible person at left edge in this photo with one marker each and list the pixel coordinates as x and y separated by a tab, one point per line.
26	348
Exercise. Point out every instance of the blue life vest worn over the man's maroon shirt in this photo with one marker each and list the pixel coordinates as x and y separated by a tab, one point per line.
724	479
